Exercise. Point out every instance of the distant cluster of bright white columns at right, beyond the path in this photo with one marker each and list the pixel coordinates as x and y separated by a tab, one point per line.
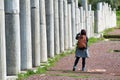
105	17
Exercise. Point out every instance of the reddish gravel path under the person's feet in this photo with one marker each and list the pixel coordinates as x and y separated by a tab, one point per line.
103	64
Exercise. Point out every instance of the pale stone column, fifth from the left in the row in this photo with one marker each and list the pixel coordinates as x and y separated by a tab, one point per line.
43	35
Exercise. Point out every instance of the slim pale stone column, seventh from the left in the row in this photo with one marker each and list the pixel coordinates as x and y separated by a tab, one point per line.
56	28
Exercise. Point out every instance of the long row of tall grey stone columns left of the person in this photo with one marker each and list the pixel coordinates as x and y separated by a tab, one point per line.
31	31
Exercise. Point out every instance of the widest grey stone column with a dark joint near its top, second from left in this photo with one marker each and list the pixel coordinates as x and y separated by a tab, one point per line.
12	24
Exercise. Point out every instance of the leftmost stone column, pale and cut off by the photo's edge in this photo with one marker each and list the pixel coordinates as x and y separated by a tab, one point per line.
2	43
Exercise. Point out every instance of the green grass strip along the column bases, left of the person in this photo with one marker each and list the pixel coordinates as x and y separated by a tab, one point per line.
43	68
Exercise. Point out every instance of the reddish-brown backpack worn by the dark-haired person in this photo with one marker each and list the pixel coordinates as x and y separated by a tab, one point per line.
81	41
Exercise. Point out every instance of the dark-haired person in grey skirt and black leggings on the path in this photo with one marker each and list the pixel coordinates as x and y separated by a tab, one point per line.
81	52
